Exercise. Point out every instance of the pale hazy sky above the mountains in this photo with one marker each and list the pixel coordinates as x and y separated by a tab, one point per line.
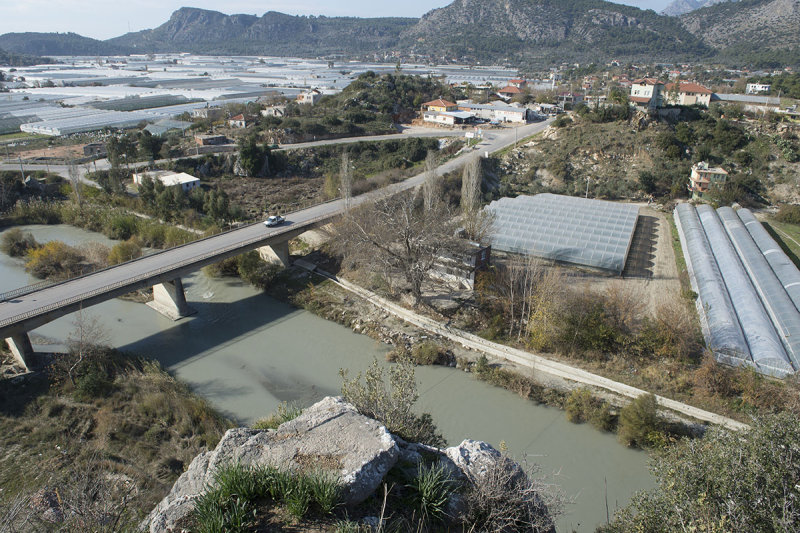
103	19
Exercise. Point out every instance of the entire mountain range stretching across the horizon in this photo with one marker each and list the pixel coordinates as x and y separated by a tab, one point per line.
520	32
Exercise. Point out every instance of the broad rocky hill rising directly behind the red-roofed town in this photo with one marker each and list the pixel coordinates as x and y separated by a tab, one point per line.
528	31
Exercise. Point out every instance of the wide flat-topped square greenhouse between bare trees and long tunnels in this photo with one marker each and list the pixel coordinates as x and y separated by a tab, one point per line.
581	231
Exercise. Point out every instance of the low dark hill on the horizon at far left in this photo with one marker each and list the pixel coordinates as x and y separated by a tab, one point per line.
57	44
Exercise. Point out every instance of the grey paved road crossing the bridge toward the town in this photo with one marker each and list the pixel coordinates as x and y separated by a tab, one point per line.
40	306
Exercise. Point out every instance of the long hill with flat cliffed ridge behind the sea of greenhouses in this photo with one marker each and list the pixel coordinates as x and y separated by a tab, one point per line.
200	30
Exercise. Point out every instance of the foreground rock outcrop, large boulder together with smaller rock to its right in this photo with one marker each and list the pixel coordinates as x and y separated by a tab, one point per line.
331	436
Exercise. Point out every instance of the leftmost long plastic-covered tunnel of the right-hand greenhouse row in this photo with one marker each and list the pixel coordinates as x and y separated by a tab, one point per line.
721	327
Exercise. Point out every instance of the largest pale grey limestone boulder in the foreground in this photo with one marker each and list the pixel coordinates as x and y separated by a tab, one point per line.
330	436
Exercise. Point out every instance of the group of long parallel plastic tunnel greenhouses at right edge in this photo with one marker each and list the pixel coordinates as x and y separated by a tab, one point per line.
746	312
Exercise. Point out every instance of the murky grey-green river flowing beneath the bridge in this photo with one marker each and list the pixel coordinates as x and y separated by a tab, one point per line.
246	352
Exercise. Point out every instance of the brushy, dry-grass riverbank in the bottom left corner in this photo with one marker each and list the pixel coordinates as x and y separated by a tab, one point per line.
98	442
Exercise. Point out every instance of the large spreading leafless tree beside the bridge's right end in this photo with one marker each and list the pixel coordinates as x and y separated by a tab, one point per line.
398	235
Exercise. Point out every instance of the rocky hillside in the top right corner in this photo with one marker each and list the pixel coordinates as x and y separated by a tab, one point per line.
761	32
